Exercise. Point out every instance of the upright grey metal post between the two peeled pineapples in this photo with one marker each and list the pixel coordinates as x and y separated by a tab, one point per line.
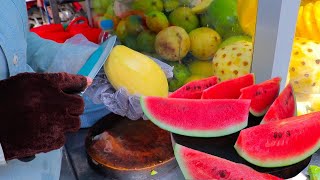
275	29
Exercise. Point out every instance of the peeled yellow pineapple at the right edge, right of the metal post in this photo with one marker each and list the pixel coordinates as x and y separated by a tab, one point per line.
304	68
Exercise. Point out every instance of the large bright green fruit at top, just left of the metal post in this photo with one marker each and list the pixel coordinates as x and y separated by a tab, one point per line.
223	16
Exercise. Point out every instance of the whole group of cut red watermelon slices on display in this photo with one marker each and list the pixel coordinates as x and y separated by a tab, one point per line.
206	108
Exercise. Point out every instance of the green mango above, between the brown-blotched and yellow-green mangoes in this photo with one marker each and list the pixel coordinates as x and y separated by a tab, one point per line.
184	17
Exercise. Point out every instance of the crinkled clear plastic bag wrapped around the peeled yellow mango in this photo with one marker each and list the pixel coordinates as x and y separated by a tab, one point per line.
120	102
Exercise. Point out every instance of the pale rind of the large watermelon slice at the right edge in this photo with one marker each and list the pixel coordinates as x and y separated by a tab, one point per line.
271	163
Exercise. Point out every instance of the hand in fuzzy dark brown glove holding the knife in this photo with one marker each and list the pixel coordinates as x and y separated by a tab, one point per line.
36	110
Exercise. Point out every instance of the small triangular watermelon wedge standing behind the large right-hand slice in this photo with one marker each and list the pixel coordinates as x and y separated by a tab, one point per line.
283	107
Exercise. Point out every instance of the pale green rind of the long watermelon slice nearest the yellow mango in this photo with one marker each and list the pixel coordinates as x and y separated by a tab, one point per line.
193	133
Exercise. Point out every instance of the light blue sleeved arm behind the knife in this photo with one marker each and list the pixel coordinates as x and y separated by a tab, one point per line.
48	56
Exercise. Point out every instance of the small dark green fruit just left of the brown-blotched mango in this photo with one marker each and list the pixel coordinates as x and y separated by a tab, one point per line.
145	41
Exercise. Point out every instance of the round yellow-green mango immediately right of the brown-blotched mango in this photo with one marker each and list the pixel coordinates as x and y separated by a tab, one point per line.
204	43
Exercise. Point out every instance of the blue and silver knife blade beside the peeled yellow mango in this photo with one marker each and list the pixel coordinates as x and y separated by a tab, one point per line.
97	59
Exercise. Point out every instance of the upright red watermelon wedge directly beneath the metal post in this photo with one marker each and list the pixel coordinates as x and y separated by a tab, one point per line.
262	95
